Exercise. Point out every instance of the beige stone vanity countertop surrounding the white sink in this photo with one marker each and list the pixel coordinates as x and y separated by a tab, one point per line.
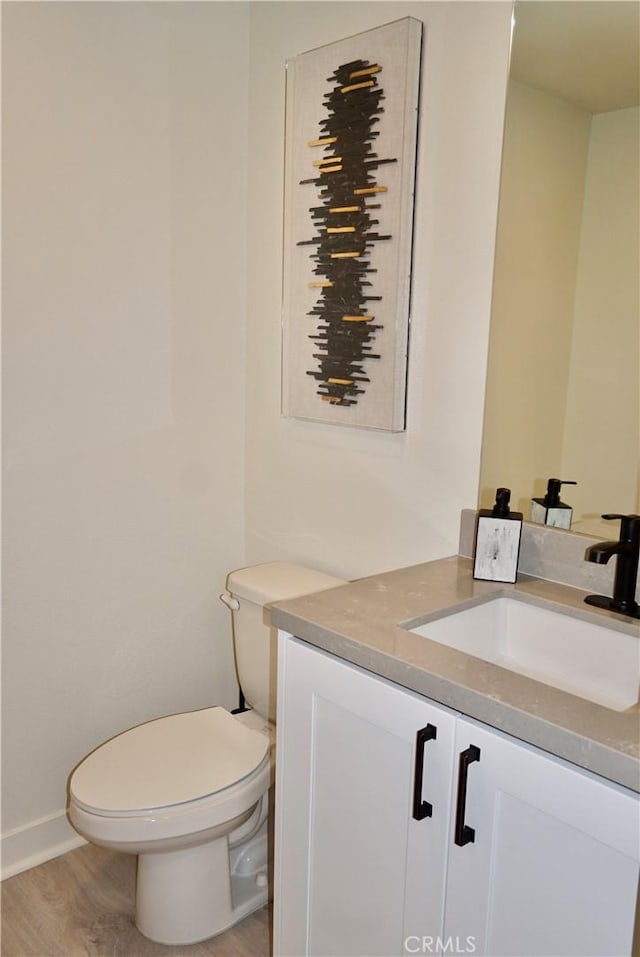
361	623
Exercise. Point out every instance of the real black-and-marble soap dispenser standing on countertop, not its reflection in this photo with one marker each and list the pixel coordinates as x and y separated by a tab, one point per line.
498	536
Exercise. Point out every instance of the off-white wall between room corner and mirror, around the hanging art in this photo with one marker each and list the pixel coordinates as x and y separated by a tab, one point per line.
350	501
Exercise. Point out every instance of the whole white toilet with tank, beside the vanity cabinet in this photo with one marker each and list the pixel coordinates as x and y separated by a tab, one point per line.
188	793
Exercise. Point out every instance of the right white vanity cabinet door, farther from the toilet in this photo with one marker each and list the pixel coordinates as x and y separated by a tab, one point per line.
550	863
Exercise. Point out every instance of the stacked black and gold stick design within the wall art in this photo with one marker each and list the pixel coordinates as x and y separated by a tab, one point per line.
345	227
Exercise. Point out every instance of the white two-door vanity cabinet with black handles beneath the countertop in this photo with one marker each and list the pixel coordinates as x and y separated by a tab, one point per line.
388	842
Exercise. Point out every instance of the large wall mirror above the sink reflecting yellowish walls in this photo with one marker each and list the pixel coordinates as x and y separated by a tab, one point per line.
563	378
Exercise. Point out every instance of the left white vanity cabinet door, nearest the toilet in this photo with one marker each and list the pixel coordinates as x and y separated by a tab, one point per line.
356	873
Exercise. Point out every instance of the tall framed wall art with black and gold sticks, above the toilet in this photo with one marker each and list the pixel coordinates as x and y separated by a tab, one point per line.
350	157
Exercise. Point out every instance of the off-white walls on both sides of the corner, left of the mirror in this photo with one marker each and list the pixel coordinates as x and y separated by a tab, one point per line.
126	216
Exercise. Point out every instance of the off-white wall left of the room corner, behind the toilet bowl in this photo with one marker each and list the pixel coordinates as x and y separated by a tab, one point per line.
124	135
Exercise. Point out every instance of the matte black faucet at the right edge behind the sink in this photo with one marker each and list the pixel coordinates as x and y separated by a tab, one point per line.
627	551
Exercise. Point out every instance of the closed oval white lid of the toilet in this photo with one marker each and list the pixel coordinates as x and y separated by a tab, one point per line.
168	761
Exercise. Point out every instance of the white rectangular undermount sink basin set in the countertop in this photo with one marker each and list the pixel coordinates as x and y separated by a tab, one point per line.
590	660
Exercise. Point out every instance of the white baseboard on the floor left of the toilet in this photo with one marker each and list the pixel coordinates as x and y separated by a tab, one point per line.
37	842
